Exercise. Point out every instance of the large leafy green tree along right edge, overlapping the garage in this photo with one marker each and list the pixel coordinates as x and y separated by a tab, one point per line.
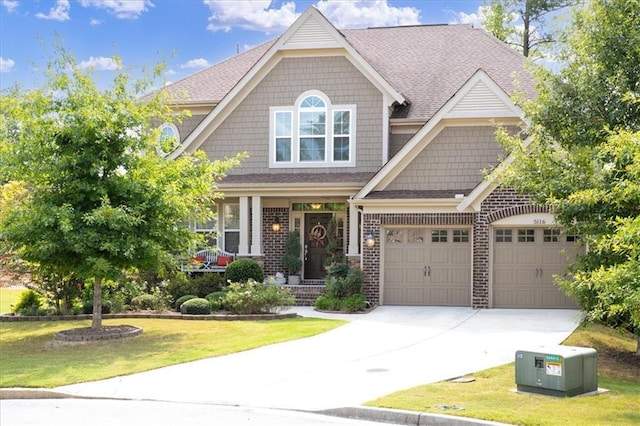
582	156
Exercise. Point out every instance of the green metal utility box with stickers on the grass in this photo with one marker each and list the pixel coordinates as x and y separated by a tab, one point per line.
557	370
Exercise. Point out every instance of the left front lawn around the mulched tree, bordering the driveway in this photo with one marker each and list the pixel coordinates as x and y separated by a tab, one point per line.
30	358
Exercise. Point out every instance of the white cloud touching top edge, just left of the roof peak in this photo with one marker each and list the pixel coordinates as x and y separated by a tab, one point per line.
250	15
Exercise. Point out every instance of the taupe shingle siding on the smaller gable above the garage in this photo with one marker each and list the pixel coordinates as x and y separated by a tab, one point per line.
455	159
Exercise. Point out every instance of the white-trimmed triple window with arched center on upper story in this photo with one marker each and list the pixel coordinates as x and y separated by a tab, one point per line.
312	133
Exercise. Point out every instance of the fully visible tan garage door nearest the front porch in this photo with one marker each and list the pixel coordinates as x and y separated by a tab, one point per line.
427	266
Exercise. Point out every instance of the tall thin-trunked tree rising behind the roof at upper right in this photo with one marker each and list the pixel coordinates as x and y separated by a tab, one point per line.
522	23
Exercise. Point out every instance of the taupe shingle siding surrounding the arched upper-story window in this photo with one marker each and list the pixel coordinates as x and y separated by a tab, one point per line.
247	127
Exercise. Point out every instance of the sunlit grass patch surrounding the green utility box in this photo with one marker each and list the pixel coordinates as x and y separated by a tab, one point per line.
491	396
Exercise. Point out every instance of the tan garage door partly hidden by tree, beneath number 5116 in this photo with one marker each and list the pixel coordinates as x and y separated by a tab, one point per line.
524	263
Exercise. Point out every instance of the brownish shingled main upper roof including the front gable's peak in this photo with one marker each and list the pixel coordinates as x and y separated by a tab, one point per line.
426	64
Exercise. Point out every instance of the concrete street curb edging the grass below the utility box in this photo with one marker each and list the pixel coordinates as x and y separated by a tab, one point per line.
404	417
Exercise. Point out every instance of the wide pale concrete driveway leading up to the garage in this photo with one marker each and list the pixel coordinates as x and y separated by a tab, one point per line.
389	349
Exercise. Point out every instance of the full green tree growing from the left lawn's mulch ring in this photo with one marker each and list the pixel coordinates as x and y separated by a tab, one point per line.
84	190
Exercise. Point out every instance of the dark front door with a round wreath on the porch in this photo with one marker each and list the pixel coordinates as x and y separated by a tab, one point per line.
315	241
